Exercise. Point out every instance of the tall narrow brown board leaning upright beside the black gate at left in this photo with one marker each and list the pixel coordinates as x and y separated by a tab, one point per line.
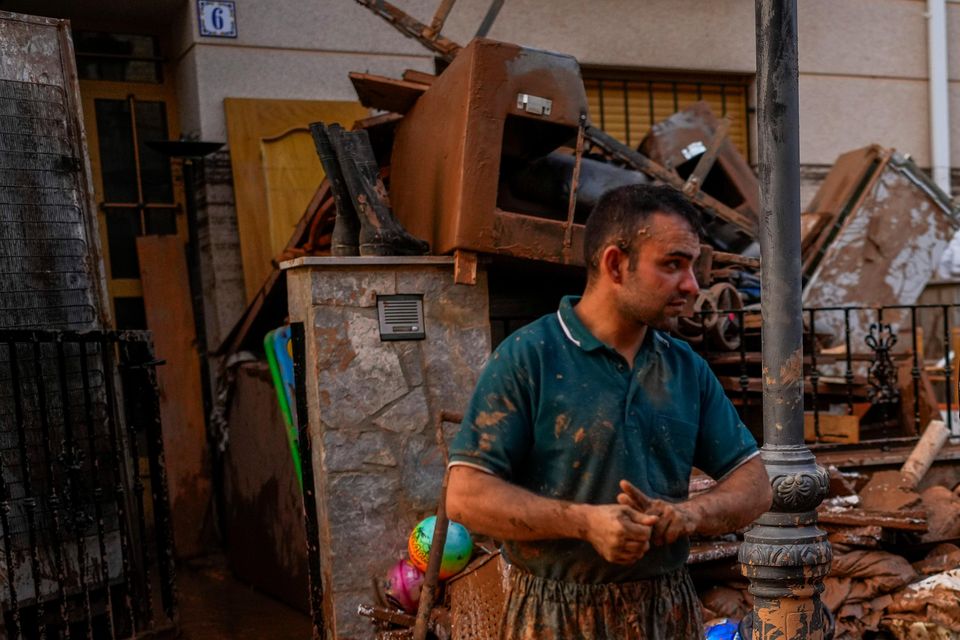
166	293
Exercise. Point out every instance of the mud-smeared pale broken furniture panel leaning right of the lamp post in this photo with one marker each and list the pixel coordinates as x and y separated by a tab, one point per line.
875	232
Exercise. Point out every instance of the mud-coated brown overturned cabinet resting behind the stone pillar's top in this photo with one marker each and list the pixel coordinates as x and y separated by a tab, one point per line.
493	112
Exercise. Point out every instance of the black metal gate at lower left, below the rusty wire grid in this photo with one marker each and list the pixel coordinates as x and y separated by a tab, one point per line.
86	547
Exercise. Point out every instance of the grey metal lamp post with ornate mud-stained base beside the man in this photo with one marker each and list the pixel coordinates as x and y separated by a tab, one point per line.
785	555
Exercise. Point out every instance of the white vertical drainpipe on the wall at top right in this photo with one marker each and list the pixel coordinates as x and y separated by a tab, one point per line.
939	93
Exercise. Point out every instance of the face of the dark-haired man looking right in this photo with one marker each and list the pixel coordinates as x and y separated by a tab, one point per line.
659	280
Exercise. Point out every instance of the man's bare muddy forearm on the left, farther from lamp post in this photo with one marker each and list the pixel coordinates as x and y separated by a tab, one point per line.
491	506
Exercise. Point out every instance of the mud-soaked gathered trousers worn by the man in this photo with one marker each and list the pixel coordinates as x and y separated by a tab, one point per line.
661	608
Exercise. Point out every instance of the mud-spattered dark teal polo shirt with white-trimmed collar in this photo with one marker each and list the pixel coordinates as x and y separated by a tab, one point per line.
562	414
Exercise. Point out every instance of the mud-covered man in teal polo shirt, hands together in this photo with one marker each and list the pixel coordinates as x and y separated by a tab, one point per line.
577	447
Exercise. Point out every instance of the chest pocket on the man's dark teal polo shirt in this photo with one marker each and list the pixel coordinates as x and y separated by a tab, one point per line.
671	446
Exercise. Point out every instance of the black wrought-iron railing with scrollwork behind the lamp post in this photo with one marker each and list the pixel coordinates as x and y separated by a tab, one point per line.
892	366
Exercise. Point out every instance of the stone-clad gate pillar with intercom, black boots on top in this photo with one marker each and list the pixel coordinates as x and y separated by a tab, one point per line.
373	406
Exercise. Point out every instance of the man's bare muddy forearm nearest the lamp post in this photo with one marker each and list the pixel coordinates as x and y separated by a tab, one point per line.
735	502
